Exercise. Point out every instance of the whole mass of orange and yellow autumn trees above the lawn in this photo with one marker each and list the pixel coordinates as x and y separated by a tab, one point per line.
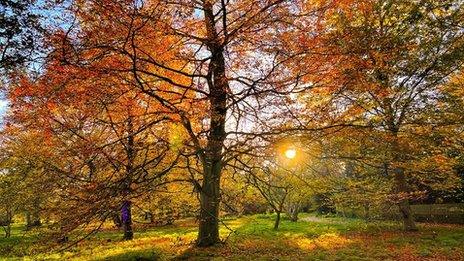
141	108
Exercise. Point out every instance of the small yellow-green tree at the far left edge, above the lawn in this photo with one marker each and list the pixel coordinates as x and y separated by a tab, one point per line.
25	187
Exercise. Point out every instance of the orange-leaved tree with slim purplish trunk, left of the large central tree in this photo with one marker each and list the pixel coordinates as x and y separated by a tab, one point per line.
105	147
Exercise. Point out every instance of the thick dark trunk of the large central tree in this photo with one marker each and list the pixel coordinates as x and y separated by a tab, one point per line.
208	233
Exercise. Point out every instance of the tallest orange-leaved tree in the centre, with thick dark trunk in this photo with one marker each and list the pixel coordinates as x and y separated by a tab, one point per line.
225	60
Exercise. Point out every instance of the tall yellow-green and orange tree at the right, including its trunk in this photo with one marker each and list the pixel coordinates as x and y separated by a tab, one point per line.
390	59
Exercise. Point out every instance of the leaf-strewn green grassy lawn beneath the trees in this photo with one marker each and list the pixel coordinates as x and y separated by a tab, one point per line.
311	238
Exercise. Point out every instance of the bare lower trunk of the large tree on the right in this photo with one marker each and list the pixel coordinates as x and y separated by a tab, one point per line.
403	204
